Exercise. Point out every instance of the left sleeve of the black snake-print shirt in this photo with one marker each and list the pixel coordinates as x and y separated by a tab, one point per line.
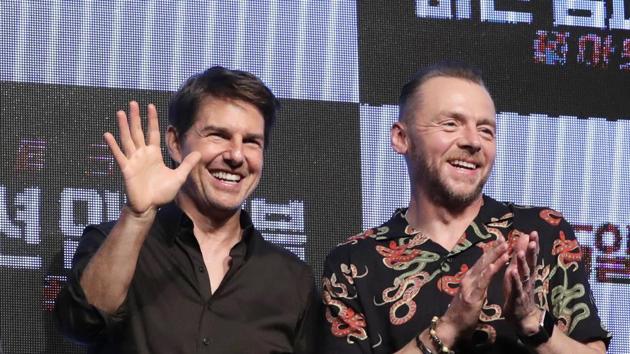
345	327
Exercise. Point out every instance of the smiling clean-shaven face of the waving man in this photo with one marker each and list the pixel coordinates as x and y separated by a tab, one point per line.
229	134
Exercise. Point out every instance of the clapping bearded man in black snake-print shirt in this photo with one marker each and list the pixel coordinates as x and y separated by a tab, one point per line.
434	277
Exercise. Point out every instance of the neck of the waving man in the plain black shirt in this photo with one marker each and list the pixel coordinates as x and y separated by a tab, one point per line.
211	226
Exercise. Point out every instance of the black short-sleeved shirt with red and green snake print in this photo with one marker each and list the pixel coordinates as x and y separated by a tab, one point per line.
382	287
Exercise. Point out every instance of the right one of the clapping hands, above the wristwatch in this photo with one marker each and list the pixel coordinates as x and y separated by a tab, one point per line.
518	285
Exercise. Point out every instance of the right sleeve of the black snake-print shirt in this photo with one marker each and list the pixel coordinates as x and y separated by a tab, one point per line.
570	297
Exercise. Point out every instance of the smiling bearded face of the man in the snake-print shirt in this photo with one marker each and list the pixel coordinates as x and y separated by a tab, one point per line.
448	139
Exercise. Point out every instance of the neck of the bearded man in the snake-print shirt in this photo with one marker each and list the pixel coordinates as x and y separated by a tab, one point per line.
442	224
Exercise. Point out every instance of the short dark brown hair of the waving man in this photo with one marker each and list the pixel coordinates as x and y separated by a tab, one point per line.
221	83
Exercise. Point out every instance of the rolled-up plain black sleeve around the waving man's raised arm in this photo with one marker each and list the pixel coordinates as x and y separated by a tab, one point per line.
76	318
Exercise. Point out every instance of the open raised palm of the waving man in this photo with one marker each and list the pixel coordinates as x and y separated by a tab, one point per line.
149	183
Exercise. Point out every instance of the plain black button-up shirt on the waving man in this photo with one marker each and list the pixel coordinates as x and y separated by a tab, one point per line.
266	302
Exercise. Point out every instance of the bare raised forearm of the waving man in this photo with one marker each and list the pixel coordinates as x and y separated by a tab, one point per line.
107	276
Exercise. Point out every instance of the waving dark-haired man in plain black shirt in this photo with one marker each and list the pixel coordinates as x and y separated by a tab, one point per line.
183	270
